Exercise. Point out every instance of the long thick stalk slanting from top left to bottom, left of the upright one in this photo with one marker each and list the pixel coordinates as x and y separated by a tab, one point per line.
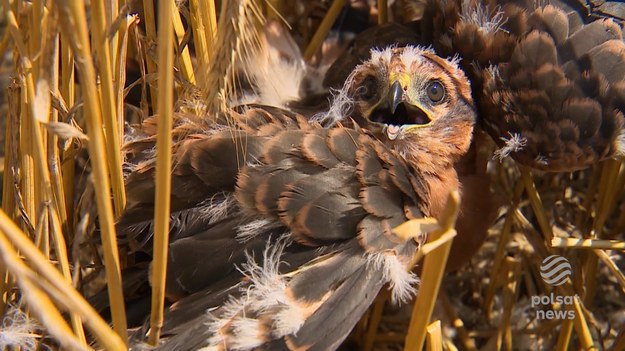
75	30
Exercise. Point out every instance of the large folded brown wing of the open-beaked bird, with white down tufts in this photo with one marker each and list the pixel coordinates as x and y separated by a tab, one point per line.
299	235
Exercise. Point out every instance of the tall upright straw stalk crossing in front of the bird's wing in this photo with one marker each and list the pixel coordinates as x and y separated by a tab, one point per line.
163	168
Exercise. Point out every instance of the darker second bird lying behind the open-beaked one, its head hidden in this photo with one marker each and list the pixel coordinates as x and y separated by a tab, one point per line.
547	79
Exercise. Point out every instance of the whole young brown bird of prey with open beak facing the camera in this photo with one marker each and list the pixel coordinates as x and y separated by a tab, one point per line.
282	228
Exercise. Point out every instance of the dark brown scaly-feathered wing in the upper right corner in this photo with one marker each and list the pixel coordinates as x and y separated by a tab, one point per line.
549	80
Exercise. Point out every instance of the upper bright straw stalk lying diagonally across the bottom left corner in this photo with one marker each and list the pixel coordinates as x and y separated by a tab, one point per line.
69	295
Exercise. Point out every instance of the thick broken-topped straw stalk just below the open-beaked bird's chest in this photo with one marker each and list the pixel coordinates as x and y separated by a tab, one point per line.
431	276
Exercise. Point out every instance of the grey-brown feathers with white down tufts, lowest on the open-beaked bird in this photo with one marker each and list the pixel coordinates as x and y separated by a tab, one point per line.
314	306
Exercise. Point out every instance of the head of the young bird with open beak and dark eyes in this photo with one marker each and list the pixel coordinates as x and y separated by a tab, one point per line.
413	100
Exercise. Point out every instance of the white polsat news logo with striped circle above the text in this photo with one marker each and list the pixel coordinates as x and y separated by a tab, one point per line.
555	271
